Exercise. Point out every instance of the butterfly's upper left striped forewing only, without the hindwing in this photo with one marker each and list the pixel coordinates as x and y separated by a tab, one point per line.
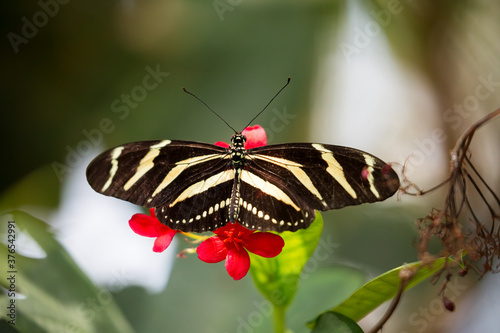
153	173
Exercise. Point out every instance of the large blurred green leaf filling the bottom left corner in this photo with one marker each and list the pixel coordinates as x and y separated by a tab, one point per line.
56	294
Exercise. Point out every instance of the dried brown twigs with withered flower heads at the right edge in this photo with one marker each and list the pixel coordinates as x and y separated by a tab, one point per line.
461	225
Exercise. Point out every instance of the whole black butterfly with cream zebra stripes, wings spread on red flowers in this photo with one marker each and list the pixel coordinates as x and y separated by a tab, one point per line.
199	187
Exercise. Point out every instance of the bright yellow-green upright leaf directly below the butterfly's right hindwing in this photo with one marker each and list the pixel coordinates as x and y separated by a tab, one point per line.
277	278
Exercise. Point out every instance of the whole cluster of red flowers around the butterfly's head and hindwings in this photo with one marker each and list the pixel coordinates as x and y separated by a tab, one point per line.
231	242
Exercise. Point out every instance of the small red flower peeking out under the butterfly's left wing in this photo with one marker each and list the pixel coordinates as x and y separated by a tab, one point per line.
150	226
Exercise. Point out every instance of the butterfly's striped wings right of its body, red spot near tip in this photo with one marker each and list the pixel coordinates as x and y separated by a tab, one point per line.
282	185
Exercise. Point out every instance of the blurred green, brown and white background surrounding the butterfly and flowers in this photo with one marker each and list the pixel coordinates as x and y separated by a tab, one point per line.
400	79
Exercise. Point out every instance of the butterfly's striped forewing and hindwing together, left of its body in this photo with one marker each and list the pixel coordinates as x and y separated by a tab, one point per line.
186	181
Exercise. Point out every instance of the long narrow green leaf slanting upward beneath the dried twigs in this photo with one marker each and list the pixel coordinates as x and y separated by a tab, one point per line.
383	288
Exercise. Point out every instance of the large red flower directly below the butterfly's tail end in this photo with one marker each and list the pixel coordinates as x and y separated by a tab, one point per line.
232	242
